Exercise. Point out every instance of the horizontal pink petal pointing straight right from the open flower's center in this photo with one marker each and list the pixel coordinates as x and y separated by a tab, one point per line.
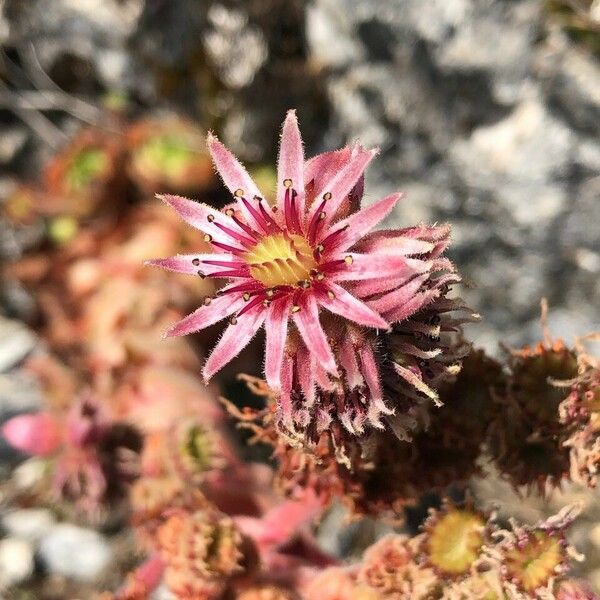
370	266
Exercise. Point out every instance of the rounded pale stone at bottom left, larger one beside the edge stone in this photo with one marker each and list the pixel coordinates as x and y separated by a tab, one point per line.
75	552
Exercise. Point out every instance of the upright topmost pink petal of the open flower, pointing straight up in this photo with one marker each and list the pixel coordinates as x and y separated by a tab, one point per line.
291	163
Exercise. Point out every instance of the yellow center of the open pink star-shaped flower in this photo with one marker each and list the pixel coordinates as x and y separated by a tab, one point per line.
281	259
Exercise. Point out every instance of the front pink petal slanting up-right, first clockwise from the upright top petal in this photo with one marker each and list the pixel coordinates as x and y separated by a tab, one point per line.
341	185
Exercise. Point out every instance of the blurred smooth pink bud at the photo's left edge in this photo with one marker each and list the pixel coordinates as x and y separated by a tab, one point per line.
38	435
